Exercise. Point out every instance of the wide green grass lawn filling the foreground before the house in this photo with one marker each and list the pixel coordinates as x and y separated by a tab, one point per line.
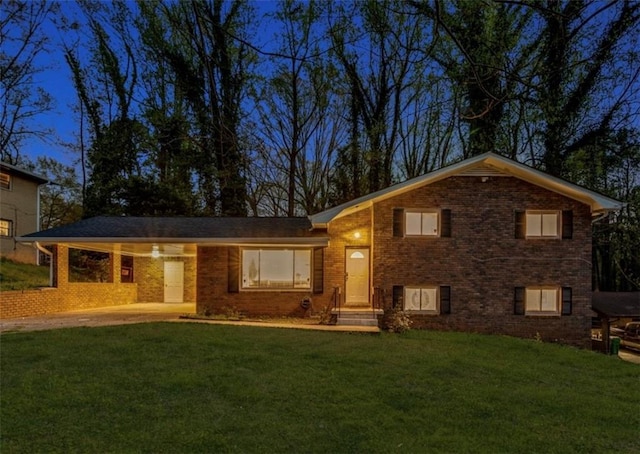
184	388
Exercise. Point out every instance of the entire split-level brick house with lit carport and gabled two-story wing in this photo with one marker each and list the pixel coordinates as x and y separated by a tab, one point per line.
485	245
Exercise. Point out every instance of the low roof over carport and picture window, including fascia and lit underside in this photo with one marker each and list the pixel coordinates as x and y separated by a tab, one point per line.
135	235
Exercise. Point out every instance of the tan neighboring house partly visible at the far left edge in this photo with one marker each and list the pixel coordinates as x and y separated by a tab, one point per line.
19	211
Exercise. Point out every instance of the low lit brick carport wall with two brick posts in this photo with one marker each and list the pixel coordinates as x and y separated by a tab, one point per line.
68	295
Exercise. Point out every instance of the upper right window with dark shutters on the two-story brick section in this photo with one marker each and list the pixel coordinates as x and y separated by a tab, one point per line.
549	224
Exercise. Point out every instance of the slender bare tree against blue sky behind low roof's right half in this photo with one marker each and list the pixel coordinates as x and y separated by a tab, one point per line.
299	124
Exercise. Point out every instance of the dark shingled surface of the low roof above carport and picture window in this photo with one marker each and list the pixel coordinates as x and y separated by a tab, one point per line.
177	229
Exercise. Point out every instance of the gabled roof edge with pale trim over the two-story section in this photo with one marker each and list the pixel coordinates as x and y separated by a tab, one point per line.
481	165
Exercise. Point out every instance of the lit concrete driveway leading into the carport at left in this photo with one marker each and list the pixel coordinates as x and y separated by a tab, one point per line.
115	315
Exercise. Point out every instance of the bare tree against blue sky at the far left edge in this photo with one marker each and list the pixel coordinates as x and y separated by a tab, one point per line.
22	41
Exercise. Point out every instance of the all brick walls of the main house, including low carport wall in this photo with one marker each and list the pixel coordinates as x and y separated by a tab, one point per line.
479	262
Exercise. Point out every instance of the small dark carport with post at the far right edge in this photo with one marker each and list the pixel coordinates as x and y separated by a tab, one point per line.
613	306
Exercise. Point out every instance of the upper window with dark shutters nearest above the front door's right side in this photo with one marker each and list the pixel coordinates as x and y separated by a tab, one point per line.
421	222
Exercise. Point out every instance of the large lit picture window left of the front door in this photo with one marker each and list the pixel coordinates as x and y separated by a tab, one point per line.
276	269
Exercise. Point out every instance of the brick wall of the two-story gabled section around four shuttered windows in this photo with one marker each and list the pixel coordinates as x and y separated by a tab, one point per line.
483	262
